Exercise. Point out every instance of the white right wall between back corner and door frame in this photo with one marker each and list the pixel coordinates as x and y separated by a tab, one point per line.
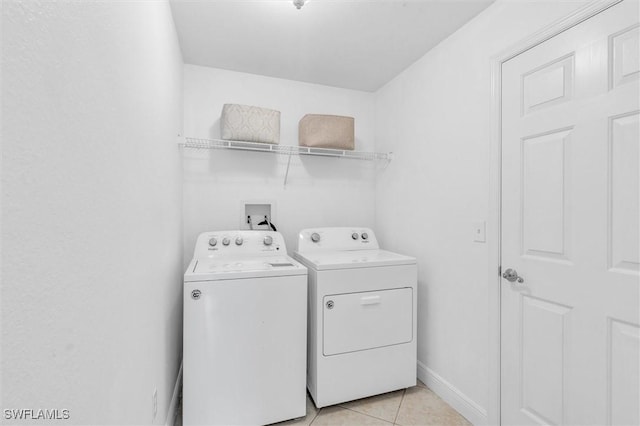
435	116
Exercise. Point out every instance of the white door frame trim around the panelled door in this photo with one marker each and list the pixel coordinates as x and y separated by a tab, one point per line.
495	184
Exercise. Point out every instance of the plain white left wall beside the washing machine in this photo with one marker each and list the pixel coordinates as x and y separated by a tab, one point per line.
91	209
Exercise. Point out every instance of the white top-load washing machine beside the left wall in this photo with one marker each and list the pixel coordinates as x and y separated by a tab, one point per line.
245	314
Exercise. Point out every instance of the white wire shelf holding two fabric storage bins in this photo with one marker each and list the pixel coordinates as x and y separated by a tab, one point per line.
198	143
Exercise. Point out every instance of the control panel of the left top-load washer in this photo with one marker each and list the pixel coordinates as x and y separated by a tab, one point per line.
219	243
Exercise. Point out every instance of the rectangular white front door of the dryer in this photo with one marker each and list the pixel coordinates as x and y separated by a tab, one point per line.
366	320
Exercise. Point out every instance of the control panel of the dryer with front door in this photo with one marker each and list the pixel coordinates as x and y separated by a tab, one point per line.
337	238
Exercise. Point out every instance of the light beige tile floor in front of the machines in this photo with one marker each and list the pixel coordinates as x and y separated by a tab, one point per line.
416	406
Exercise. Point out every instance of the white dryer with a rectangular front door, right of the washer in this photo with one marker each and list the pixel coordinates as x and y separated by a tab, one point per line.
362	315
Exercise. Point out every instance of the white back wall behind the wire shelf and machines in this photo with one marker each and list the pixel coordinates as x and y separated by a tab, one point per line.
320	191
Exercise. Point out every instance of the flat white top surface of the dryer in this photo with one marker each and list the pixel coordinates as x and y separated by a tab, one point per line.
330	259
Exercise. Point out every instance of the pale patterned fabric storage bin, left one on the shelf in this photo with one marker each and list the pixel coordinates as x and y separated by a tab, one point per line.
250	123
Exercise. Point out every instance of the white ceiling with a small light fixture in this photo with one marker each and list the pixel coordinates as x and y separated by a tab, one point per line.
355	44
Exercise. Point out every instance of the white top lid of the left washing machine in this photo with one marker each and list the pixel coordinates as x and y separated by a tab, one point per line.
227	268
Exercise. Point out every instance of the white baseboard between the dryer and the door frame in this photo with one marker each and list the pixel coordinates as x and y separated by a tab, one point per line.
459	401
